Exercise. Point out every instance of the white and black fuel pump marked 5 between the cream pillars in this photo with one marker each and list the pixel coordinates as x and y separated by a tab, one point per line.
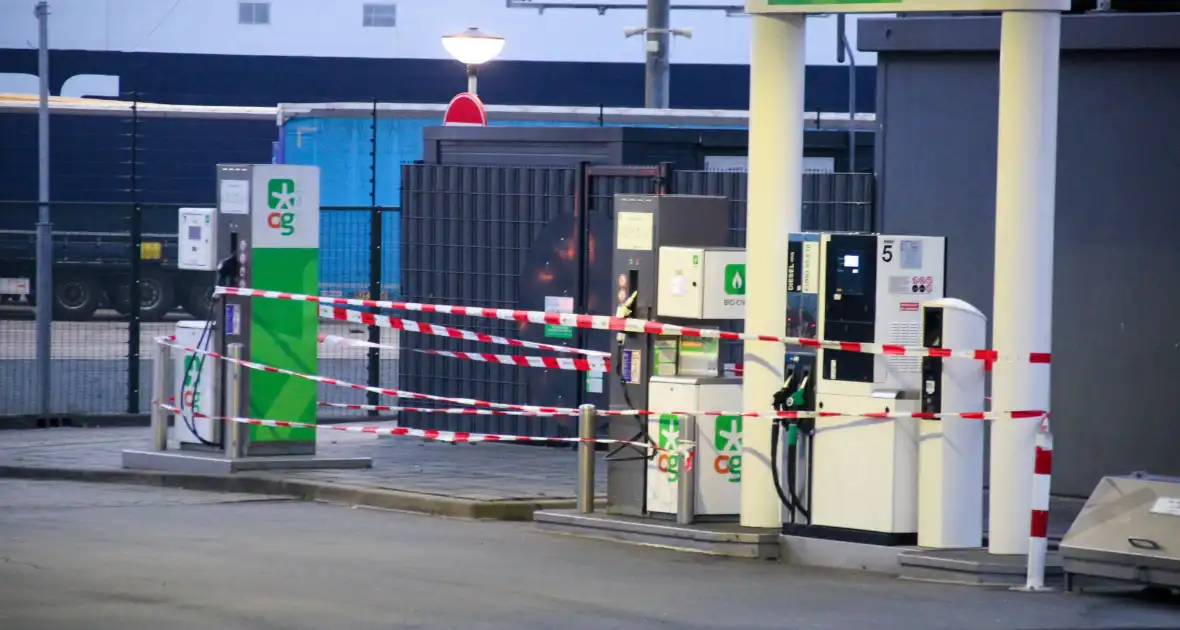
848	477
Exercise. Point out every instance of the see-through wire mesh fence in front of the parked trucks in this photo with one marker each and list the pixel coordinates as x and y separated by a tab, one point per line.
101	347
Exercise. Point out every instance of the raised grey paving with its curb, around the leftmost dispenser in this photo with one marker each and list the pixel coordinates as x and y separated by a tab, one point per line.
470	481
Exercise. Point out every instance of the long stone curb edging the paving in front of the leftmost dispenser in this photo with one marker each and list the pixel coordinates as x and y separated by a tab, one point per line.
514	510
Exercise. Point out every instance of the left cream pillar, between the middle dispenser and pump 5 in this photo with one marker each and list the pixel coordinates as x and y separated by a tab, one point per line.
775	202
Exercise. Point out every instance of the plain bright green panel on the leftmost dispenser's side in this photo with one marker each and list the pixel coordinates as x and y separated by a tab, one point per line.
284	334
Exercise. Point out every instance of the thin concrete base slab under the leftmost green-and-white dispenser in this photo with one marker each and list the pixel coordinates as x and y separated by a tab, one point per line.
198	463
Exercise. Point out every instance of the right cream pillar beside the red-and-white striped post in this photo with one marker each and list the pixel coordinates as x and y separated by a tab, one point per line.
1026	198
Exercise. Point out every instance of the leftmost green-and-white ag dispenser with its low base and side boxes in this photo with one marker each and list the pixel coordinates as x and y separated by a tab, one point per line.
265	234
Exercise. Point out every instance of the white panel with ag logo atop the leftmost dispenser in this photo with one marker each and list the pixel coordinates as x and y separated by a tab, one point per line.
285	207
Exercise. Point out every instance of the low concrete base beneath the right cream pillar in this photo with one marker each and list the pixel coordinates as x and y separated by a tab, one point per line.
975	567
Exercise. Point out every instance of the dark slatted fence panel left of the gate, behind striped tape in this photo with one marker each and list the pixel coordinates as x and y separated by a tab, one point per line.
469	233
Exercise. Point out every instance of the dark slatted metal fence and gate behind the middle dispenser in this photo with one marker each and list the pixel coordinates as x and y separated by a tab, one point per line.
535	238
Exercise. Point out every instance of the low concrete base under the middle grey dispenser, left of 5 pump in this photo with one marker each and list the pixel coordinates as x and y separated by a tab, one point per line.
716	539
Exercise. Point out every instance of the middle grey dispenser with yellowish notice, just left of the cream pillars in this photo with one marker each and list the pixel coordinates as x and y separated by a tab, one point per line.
648	371
